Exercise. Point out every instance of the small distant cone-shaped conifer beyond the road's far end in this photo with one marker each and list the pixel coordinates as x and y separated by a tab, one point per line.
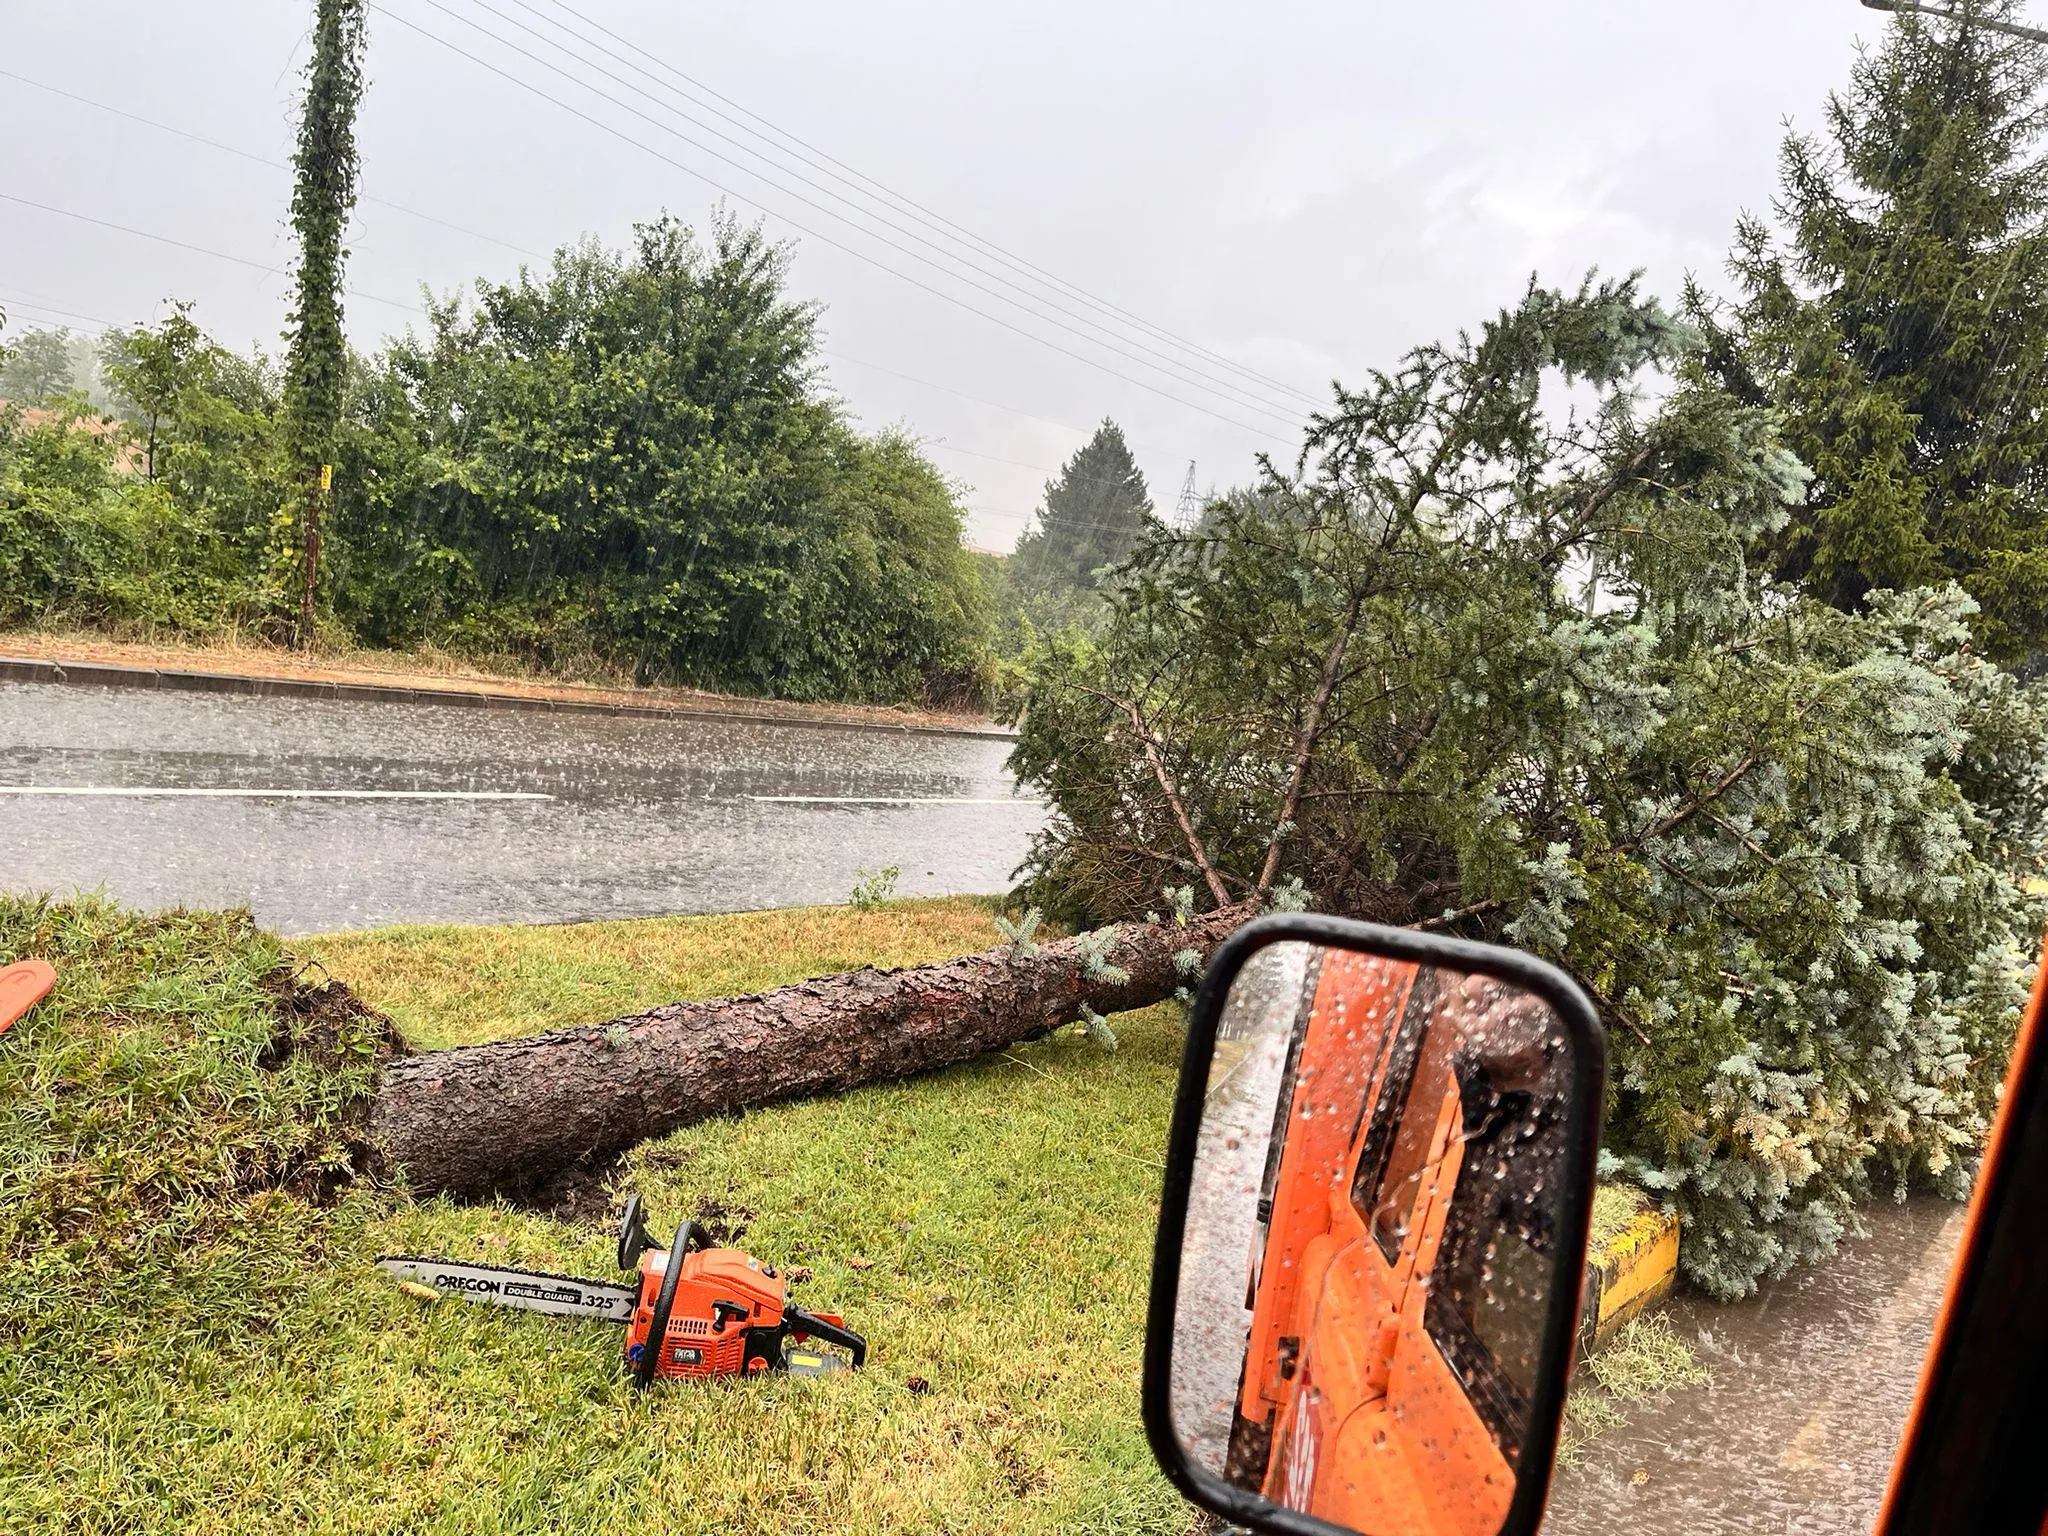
1093	517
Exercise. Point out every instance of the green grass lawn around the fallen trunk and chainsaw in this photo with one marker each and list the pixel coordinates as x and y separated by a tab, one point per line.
187	1349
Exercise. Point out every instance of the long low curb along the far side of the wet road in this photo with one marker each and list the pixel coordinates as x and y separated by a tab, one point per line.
108	675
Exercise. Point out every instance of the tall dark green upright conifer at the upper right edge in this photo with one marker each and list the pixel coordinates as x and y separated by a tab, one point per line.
1900	321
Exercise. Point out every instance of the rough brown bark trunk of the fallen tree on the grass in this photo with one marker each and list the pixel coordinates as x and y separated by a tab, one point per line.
517	1113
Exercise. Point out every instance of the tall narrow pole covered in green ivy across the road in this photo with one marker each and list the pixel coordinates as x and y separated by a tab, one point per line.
325	196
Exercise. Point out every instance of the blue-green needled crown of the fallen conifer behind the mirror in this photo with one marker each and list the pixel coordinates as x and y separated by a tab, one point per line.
1490	671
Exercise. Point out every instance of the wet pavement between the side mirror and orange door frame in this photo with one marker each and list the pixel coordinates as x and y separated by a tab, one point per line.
1811	1385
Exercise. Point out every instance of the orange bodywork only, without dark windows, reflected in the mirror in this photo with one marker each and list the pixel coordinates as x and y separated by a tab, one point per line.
1369	1422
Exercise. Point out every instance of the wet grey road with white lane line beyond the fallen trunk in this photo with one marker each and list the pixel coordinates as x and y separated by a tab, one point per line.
640	816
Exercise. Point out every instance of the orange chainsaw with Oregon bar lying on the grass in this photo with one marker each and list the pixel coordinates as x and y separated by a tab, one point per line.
693	1312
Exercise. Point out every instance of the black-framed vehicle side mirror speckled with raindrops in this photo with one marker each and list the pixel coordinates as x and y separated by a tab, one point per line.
1373	1232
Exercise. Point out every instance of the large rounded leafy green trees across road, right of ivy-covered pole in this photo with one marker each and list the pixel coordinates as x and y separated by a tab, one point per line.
628	462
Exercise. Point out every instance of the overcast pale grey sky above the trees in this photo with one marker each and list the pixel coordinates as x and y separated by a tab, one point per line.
1297	189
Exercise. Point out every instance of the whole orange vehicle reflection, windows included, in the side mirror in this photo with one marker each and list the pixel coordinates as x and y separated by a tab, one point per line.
1400	1287
